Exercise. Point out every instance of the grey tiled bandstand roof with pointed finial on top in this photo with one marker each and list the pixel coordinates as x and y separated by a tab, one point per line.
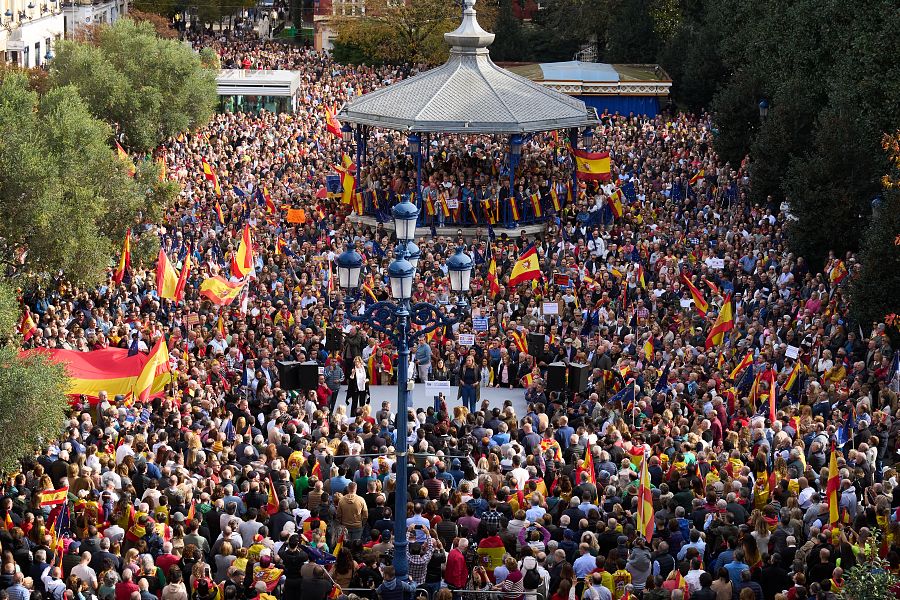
468	94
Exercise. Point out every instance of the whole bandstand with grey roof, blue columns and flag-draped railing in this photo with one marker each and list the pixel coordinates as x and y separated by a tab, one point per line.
467	95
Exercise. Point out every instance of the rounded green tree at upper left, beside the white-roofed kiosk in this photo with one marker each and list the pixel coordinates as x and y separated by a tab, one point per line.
152	88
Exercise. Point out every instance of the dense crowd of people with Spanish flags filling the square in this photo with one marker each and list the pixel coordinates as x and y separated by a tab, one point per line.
228	486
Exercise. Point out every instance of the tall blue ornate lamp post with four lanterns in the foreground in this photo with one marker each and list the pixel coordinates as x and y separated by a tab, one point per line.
394	319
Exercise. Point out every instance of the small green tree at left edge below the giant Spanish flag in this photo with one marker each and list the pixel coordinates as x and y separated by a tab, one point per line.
32	392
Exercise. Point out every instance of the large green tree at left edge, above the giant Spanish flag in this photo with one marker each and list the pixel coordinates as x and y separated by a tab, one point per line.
56	160
